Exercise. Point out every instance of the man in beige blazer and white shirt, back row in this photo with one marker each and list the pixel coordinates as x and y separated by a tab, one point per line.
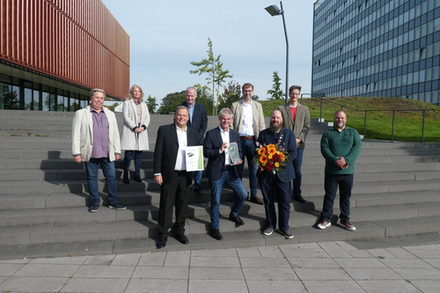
248	122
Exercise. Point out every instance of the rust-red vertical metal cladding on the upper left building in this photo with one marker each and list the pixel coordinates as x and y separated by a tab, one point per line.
76	40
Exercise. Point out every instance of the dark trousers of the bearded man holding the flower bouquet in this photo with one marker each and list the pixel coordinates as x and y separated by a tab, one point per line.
272	188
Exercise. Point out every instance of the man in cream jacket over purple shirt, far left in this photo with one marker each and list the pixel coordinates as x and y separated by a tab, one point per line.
95	141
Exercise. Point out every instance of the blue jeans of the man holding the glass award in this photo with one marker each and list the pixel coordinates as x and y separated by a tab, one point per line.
216	193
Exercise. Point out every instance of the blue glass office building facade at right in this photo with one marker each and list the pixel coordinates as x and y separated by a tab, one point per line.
377	48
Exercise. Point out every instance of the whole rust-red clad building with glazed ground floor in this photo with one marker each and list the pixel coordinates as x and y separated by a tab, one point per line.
52	52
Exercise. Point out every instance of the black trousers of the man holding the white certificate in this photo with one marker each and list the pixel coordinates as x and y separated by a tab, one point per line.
174	194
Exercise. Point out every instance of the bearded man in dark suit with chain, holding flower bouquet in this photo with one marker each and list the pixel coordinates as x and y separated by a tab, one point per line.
277	186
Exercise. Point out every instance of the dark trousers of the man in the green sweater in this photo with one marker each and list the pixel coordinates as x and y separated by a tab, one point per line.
331	183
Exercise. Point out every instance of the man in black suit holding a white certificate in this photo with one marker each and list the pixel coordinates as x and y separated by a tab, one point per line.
170	172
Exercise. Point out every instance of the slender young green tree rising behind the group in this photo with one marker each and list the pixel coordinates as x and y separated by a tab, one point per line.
213	67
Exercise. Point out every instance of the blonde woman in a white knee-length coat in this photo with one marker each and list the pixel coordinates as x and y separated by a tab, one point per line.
134	133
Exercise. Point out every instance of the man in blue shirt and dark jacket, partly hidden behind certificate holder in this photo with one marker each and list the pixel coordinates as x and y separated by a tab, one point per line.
198	120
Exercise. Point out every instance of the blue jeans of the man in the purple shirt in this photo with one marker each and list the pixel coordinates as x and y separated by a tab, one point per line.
108	168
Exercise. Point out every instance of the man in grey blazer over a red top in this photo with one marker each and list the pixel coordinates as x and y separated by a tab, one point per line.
296	117
